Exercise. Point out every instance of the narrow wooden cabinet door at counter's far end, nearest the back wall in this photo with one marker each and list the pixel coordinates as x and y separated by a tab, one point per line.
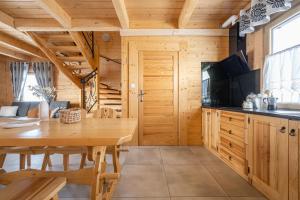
206	126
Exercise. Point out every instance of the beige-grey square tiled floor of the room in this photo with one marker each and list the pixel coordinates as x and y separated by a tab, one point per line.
165	173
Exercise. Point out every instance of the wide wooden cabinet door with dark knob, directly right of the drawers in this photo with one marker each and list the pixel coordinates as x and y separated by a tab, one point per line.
270	156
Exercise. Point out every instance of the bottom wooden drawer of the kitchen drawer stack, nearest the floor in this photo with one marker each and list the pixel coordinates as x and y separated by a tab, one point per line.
238	164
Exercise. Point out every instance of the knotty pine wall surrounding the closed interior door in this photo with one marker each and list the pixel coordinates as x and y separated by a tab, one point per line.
194	50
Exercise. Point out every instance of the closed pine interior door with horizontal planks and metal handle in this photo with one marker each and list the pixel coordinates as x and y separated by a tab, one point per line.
158	98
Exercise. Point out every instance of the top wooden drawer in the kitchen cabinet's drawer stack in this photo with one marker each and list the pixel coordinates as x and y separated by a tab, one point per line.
233	118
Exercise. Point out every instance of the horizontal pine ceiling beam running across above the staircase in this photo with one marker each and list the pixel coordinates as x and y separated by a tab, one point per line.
35	25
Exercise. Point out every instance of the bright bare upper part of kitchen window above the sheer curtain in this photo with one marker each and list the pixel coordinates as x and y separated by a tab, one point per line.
286	34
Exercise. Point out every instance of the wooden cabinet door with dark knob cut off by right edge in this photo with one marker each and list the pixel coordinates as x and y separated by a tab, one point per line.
294	160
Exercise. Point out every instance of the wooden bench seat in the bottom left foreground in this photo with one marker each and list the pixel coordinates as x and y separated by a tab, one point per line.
33	189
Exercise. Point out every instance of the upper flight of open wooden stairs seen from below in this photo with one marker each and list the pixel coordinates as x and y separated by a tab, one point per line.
75	51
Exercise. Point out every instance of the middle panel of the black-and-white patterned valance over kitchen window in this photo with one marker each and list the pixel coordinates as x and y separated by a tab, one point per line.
259	12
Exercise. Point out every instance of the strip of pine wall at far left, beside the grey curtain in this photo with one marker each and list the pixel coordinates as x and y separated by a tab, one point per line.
6	96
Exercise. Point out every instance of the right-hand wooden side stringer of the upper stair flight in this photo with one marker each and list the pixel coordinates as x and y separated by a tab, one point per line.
84	48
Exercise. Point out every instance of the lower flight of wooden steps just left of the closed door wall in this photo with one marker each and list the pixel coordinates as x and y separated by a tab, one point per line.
110	98
